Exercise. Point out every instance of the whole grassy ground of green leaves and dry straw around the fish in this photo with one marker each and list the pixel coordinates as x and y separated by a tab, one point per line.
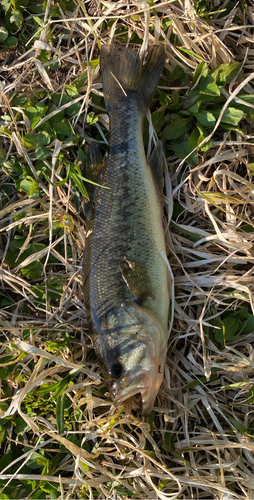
60	434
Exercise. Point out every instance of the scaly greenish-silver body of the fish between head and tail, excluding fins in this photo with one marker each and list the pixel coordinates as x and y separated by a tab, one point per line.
130	208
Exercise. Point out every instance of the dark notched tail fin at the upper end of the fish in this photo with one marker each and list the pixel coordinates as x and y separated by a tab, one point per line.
125	74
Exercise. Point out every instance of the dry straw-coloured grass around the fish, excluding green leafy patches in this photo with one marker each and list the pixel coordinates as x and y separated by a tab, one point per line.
199	442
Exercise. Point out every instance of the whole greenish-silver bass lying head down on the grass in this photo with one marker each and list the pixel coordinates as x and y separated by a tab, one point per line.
126	279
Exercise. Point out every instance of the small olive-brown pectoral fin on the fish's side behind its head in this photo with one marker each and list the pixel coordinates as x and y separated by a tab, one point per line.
137	278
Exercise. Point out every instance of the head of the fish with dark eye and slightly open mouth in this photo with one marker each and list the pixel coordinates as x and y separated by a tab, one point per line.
134	357
